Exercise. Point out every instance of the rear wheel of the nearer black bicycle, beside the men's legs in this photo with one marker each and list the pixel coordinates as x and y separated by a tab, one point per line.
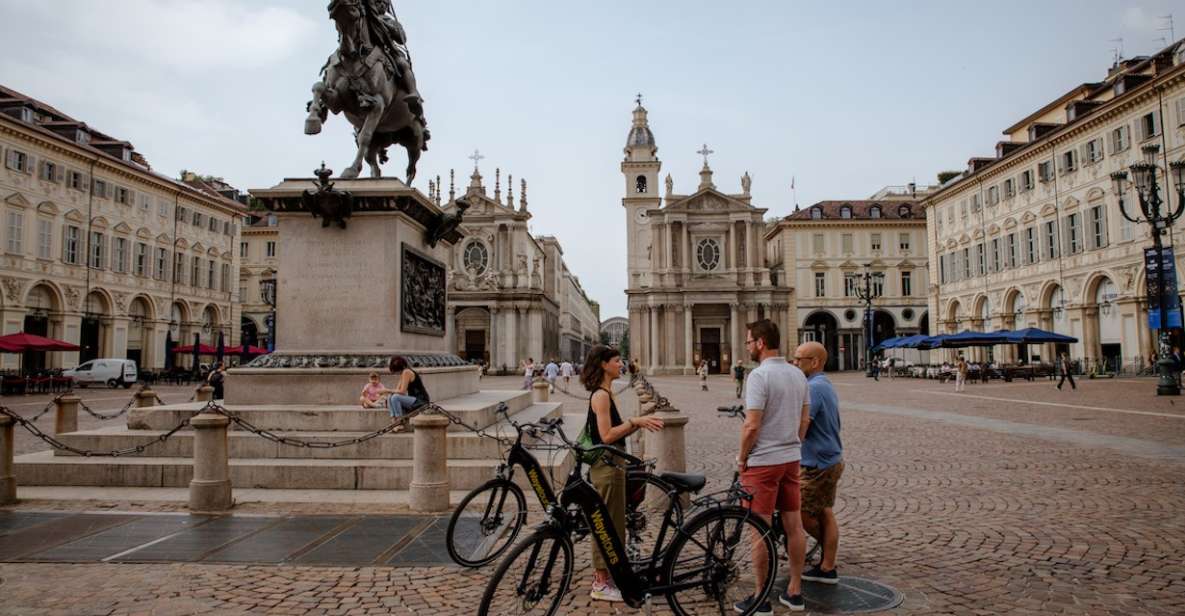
716	556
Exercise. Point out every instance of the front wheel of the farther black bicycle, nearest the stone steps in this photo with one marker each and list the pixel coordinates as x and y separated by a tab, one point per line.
486	523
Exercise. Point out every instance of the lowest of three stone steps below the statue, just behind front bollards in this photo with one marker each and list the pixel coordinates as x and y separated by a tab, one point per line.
43	469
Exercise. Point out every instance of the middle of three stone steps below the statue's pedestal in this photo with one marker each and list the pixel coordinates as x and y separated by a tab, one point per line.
462	446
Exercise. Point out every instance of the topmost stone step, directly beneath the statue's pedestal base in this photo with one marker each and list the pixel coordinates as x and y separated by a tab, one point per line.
475	409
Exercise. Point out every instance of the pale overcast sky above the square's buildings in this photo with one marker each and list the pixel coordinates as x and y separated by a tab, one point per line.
847	98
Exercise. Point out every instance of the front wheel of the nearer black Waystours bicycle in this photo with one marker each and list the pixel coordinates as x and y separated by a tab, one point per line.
533	579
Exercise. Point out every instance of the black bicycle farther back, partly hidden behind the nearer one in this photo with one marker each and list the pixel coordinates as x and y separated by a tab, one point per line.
490	518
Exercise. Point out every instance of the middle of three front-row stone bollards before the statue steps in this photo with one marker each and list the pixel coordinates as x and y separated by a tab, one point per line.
210	491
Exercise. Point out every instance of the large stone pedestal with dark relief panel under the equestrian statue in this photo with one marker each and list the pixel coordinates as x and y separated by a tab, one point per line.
349	300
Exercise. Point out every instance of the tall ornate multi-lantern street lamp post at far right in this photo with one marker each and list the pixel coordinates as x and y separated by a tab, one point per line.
1160	215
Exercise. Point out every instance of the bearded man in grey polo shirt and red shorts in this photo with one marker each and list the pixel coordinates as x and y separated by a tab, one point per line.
778	412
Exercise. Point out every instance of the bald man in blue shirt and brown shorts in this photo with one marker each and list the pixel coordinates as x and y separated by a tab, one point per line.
823	461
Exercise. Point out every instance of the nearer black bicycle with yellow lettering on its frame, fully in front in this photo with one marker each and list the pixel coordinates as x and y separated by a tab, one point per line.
706	560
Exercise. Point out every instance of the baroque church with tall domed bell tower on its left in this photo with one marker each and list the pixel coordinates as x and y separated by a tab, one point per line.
697	266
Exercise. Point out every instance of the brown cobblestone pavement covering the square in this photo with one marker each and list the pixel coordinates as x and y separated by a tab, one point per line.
1009	499
